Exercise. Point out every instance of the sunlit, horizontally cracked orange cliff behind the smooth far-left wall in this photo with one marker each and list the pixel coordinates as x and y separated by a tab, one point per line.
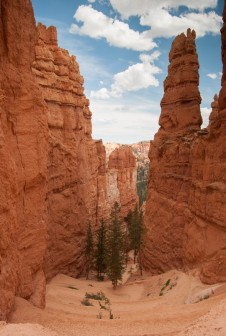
73	157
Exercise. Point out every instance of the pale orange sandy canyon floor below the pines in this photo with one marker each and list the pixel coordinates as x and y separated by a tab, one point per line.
186	307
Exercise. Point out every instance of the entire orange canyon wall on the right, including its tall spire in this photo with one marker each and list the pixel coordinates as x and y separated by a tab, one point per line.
185	215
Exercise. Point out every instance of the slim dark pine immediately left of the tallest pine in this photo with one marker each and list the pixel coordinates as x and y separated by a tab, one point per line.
101	250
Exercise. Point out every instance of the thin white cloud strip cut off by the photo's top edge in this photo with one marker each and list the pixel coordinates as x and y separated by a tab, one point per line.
129	8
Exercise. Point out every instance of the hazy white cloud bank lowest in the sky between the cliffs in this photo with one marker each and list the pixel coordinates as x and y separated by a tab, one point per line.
122	122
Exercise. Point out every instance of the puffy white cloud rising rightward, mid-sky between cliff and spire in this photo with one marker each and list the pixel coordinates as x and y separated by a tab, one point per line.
135	77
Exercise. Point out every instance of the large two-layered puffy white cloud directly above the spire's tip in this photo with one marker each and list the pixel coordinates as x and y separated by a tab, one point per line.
157	15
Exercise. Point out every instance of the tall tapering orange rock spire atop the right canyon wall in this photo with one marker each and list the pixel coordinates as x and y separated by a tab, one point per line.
181	101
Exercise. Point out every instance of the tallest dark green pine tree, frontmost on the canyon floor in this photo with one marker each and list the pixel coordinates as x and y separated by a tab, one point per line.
115	257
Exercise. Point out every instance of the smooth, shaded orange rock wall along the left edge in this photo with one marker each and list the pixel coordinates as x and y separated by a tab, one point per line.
23	163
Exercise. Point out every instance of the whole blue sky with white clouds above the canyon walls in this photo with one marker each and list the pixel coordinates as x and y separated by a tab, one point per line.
122	47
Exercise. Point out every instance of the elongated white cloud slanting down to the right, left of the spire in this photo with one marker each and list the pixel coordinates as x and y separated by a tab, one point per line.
117	33
